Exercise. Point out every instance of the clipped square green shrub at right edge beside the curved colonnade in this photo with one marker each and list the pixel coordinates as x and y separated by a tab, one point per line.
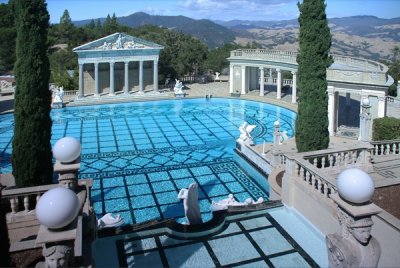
386	128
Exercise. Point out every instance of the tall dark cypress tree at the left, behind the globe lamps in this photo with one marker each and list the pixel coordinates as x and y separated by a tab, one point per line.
32	156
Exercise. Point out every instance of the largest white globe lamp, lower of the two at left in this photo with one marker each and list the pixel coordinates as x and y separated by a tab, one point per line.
57	208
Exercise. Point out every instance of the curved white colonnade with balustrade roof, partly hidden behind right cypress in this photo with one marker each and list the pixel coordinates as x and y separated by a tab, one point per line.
252	69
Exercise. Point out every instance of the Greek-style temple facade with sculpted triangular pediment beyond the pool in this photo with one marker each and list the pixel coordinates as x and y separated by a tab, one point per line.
117	63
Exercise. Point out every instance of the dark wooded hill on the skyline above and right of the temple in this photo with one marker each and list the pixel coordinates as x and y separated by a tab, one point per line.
212	34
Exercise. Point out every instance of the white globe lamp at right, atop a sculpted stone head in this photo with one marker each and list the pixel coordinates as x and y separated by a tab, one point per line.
355	185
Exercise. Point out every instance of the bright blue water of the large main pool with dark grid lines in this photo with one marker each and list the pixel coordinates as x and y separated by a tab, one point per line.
141	154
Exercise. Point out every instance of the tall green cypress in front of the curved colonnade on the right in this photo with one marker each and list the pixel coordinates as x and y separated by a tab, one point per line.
313	60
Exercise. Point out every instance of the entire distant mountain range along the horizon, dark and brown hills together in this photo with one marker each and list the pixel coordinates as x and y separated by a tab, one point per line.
359	36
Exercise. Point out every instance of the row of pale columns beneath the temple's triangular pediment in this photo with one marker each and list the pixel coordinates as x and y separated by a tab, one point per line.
112	76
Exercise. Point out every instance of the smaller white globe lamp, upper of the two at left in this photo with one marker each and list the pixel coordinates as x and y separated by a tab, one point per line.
67	150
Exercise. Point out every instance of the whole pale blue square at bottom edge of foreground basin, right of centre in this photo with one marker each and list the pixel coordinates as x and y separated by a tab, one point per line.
240	249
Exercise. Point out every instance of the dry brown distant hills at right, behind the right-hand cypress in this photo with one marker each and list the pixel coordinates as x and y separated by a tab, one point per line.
360	36
